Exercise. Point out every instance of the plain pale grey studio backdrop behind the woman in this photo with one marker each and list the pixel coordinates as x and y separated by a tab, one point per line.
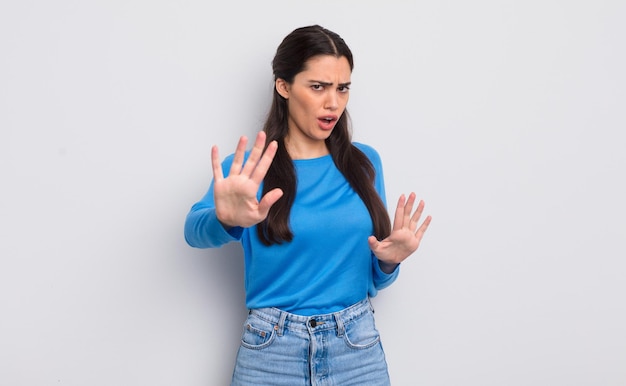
506	117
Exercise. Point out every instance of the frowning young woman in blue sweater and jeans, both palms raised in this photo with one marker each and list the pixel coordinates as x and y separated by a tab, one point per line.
308	206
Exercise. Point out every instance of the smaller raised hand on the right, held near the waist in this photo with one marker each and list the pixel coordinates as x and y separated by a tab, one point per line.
405	236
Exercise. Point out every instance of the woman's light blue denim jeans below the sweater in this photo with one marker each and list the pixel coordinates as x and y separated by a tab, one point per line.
342	348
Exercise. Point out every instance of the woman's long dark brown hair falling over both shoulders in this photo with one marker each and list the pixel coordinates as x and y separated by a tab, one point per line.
290	59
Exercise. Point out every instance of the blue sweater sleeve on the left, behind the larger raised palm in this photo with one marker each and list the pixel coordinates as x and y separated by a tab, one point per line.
202	228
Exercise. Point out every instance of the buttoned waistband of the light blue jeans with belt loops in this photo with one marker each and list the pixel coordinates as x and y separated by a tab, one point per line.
337	320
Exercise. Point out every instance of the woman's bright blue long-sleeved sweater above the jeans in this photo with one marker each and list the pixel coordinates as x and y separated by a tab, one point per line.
328	265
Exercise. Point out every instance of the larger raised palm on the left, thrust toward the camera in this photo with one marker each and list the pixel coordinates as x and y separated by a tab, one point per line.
235	196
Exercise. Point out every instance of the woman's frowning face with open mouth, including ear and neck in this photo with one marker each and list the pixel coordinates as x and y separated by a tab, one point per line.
316	100
